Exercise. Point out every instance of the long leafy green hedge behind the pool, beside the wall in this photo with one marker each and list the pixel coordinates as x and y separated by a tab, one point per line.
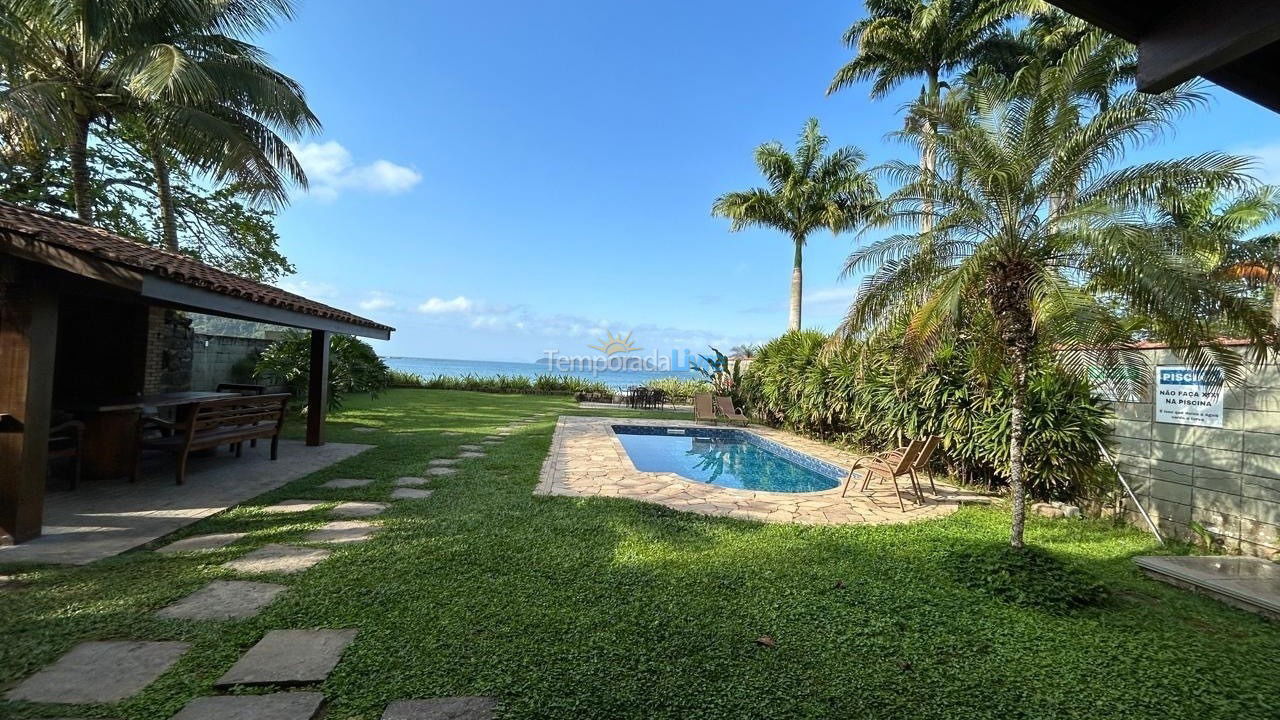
872	398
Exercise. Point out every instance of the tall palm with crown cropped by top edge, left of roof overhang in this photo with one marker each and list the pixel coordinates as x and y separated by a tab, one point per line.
903	40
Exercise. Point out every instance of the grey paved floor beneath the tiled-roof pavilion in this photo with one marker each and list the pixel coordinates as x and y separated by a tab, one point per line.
100	520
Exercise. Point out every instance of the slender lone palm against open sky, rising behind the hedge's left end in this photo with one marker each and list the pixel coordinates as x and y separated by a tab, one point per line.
807	192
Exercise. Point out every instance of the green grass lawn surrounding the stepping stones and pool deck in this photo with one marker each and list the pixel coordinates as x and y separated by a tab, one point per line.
569	608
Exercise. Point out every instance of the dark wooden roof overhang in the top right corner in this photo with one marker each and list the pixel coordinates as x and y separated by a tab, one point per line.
1236	45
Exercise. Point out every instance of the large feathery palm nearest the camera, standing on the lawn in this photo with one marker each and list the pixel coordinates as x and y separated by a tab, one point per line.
1035	234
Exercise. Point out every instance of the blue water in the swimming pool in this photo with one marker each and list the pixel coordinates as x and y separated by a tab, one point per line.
726	458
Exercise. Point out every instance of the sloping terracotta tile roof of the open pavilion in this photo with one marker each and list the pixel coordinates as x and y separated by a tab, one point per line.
83	238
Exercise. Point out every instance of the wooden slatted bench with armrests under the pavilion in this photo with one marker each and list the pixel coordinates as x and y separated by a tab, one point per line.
227	421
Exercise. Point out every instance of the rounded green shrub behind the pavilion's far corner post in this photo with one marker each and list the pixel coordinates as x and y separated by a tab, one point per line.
354	367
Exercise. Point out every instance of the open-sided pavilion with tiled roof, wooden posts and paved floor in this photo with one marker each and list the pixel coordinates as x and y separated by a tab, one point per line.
83	332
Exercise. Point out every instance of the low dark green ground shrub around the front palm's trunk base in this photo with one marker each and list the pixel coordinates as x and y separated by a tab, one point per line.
1026	577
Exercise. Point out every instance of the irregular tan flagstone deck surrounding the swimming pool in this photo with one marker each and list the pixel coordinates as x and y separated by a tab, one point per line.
588	461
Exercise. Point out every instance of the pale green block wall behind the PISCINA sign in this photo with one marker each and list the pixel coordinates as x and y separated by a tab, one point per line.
1227	480
